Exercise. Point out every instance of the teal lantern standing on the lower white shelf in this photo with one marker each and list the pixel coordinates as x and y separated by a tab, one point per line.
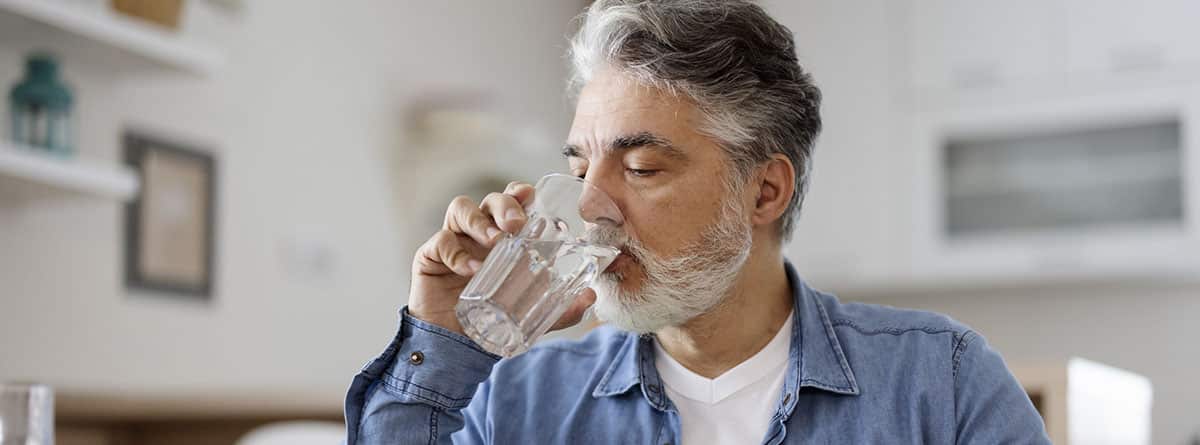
40	107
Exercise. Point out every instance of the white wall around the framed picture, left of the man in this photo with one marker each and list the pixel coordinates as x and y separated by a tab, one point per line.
307	122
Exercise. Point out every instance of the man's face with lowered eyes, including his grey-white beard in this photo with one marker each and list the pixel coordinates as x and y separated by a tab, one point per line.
685	226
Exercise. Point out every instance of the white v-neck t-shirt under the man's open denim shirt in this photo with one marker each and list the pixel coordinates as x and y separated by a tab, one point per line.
737	406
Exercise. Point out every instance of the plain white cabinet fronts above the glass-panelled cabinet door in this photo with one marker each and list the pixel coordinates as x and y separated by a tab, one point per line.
956	47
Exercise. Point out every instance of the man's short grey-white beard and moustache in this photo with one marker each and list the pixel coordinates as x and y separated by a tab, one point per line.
677	290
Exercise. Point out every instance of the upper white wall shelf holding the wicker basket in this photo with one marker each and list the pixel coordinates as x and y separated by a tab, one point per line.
75	32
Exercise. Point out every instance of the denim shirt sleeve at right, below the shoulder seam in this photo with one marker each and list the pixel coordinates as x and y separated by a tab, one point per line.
991	406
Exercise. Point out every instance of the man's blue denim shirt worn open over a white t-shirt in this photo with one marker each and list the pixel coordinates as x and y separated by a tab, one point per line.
857	375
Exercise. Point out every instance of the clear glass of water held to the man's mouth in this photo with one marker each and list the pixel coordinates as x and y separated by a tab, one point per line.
531	279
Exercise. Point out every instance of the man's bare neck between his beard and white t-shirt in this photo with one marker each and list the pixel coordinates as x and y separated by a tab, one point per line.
752	314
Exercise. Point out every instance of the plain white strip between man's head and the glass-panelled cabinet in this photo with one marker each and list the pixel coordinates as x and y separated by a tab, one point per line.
847	227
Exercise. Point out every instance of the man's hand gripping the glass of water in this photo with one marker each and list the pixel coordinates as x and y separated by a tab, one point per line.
447	262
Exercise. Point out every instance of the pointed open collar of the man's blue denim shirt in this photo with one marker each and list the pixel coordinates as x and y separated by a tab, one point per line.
817	359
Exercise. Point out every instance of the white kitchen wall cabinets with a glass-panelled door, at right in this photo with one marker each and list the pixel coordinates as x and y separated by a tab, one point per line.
987	69
